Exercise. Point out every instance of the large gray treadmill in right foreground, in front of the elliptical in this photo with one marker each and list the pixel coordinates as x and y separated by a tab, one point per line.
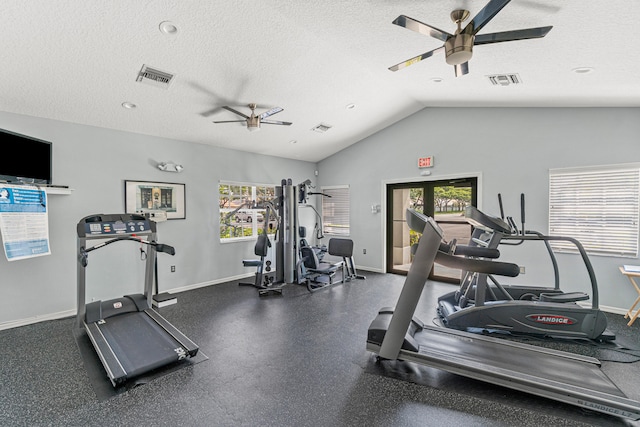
396	334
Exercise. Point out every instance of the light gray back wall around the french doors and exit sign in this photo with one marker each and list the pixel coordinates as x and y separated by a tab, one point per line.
511	150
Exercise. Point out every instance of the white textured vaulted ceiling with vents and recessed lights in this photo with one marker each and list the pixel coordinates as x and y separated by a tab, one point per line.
77	61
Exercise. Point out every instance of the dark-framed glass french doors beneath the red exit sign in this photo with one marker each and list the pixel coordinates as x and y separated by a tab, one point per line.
442	200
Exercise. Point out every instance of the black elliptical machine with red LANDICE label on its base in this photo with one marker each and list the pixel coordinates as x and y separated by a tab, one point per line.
534	310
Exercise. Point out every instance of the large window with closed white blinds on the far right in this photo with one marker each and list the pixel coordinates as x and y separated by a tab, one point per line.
598	207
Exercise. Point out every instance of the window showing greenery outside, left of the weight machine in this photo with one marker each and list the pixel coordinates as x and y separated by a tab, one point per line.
243	211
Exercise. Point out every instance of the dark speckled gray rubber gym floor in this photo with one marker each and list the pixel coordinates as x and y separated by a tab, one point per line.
295	360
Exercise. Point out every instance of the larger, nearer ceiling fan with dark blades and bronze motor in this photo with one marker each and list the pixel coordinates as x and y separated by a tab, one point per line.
458	47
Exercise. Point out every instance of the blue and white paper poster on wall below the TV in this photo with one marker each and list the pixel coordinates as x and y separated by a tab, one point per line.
24	221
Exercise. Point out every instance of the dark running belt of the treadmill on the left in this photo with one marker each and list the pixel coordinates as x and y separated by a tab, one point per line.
139	343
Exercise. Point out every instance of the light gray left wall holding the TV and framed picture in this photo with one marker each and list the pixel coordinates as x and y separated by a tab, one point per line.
95	162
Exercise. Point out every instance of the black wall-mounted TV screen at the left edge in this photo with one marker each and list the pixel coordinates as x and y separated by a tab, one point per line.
25	159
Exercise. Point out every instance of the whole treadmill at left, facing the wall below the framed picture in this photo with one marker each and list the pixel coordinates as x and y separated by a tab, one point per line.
129	337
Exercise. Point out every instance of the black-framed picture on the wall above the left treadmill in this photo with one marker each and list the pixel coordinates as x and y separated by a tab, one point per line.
149	197
